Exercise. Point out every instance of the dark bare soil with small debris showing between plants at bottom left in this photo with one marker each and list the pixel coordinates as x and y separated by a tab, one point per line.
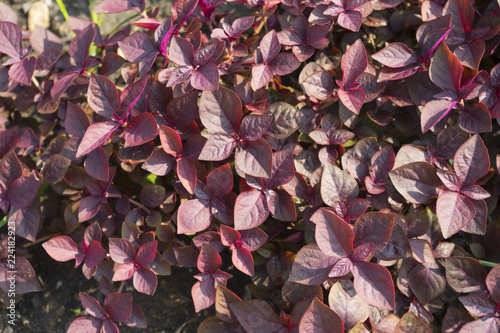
57	305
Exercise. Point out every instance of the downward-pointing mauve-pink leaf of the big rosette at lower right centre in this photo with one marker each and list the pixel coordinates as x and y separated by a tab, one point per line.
374	285
